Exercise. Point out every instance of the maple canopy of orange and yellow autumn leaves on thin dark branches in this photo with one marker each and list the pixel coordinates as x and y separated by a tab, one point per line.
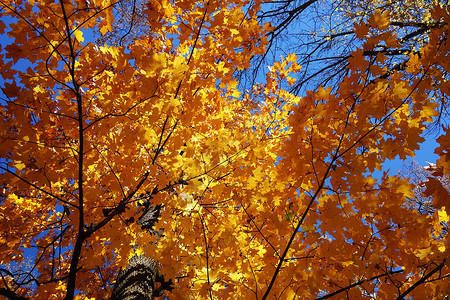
259	193
